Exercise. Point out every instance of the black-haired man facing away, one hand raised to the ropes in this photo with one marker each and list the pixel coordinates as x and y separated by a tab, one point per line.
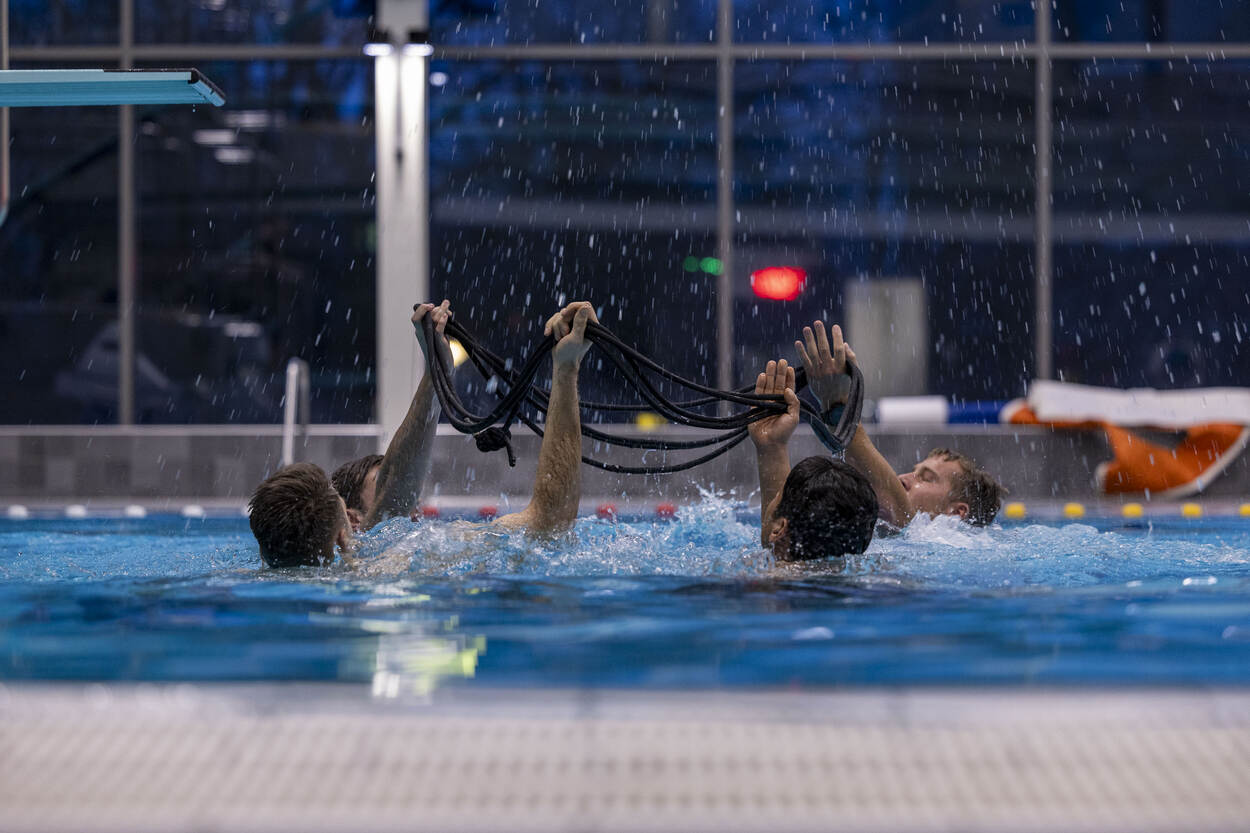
822	508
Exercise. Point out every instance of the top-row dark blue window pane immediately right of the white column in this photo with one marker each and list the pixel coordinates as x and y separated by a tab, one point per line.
484	23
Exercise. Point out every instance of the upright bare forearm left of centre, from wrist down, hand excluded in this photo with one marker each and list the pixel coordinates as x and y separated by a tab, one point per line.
558	482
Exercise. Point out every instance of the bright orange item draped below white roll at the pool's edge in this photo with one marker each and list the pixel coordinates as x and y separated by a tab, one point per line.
1141	466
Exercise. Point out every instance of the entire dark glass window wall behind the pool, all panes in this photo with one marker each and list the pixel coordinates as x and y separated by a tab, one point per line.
902	188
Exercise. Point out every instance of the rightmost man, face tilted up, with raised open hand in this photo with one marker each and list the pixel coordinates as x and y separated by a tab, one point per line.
944	483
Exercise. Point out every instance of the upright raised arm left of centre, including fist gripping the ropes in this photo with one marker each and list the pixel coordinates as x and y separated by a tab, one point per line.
558	482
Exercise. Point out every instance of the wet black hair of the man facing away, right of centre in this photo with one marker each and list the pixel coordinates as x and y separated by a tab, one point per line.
831	508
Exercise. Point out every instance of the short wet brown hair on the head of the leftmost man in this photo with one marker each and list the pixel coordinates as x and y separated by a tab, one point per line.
296	516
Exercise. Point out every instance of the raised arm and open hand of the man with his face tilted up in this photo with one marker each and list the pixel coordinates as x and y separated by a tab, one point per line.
827	368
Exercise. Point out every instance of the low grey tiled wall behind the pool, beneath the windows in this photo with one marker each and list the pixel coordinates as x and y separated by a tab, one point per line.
226	463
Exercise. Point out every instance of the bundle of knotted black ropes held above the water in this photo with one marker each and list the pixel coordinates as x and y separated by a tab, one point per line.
517	388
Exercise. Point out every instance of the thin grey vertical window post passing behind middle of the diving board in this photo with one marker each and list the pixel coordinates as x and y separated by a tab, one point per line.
128	278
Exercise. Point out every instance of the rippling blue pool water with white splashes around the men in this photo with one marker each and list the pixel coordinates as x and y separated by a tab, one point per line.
641	605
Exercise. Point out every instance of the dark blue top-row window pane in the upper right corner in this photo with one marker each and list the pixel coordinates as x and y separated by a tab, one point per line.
1152	21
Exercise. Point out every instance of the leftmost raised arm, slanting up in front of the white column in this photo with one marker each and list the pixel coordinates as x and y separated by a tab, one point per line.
407	462
